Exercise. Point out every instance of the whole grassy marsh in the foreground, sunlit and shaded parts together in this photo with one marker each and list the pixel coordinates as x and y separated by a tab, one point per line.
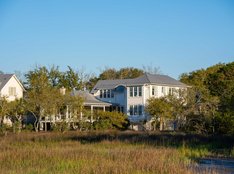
106	152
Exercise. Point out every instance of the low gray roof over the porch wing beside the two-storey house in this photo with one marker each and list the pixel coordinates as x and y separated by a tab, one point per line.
89	99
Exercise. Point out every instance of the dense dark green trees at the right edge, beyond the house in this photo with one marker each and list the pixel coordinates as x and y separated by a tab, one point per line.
214	91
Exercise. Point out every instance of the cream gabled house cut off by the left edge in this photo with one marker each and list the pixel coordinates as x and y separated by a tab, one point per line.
10	87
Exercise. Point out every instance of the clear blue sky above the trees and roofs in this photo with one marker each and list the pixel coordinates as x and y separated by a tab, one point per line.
176	35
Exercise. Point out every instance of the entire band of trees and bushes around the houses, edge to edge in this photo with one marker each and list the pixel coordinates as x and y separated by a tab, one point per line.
207	106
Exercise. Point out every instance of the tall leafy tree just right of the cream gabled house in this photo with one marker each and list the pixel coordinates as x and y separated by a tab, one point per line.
41	97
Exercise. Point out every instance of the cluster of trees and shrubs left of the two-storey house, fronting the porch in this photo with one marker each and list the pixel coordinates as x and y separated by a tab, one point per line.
45	99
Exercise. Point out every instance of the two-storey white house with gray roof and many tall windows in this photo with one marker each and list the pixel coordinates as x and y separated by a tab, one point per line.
131	95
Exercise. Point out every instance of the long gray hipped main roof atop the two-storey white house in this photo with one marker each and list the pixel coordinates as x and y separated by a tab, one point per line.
144	79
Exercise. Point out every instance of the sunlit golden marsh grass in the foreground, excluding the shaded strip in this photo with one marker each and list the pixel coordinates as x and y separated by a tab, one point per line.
64	153
